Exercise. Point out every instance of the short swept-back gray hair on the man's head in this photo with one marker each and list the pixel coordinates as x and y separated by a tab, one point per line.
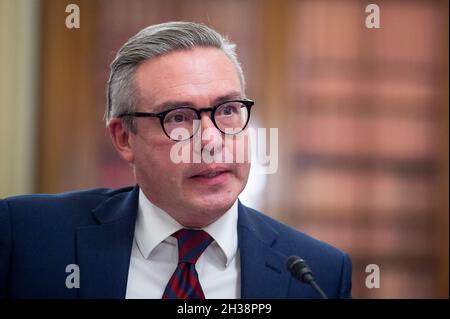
150	43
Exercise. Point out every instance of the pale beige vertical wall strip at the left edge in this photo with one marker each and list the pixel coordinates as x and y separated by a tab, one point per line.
19	37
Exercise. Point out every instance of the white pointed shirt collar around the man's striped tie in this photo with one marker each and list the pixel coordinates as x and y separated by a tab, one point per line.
153	225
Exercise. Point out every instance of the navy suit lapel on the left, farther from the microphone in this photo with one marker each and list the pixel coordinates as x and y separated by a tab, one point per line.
104	250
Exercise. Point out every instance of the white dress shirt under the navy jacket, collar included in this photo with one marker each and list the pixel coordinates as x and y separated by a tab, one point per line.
154	255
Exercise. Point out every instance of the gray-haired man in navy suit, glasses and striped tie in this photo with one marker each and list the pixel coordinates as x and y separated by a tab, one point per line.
180	232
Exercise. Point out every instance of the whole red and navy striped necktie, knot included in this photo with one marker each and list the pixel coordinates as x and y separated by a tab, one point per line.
184	282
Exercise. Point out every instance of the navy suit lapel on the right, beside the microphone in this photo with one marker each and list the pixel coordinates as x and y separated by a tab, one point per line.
263	273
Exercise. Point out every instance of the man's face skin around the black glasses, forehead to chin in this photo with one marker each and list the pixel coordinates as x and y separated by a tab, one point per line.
195	194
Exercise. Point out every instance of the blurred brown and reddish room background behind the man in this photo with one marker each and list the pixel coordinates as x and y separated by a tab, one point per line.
362	116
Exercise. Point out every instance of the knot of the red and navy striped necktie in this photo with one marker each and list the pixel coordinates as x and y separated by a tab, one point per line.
191	244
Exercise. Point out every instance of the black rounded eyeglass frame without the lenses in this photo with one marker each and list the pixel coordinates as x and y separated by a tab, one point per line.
161	115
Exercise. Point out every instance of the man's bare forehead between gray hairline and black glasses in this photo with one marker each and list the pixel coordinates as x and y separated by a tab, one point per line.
198	76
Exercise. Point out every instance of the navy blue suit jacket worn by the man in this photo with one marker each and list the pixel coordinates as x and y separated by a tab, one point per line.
41	234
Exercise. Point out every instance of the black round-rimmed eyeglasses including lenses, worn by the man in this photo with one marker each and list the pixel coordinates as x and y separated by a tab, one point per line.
230	117
